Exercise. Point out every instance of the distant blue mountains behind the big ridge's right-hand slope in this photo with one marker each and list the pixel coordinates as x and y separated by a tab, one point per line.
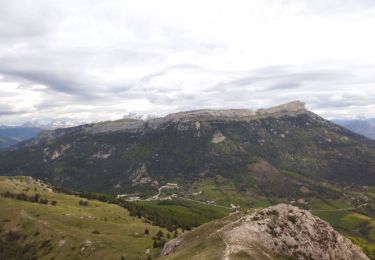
364	127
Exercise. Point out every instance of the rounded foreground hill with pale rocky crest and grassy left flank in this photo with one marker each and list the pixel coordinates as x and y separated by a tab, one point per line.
277	232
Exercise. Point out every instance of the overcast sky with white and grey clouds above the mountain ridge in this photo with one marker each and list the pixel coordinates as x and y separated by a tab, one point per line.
100	60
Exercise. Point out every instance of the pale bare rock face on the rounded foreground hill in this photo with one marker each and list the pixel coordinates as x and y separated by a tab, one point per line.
287	230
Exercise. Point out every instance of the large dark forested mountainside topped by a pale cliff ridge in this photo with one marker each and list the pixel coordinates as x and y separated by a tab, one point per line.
245	157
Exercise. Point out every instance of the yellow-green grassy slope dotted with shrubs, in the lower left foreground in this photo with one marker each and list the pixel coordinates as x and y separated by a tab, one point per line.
65	231
